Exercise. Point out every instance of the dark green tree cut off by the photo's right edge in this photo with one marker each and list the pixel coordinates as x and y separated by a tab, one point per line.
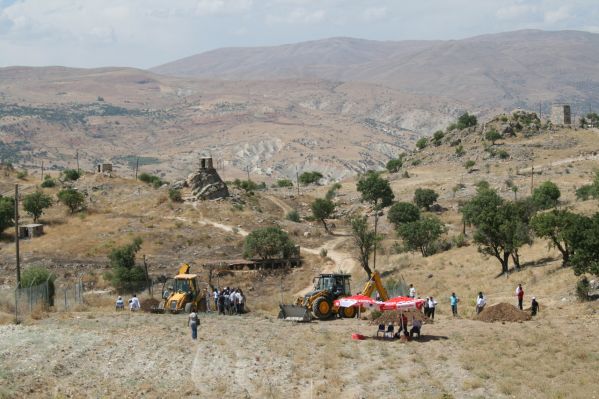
586	249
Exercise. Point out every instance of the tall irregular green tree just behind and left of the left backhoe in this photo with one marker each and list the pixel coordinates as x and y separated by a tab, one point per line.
126	276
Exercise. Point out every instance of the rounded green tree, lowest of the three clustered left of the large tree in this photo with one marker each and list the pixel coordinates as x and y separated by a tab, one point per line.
422	235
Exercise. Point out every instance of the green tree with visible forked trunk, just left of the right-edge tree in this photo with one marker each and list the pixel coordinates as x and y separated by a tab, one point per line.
562	228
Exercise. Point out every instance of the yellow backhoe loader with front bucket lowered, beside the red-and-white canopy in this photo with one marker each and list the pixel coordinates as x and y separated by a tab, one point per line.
318	303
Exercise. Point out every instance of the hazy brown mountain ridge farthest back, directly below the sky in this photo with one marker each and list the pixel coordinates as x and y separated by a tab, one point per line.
511	69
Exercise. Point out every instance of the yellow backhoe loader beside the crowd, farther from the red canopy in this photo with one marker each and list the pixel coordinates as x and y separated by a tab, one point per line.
182	292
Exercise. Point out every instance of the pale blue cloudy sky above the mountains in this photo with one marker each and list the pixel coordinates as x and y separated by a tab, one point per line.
145	33
